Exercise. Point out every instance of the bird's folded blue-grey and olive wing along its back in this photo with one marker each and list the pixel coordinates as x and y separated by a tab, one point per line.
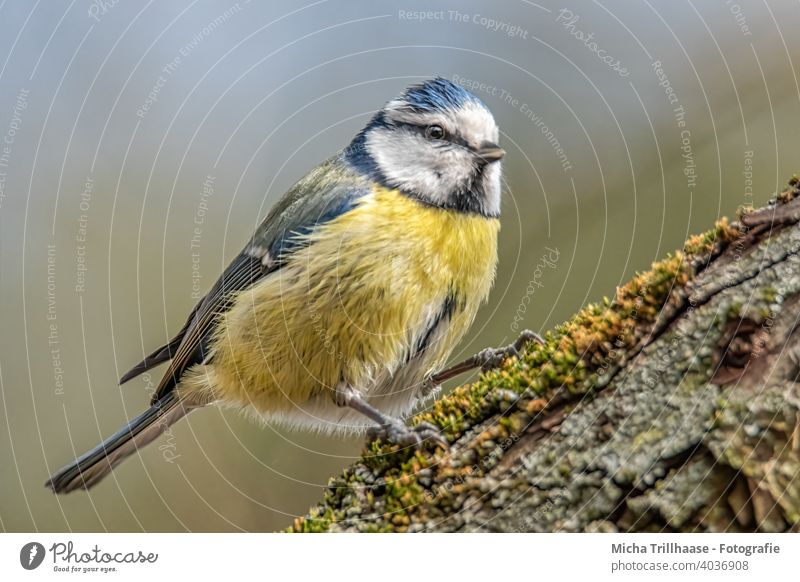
328	191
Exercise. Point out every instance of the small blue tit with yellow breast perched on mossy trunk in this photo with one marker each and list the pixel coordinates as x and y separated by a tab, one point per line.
342	309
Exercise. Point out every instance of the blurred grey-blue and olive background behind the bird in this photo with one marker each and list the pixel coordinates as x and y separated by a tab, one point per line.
140	143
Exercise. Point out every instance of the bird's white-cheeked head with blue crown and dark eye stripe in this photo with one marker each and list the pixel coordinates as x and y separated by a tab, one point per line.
436	142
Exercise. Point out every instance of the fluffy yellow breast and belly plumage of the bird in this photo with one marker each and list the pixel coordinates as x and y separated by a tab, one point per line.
354	304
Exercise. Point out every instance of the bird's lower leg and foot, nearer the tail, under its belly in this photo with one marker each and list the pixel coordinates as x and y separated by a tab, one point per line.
387	427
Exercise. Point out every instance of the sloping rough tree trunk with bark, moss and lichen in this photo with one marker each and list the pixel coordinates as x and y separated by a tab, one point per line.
673	407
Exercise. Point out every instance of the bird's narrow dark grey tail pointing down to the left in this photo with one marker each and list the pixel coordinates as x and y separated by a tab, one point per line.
91	467
